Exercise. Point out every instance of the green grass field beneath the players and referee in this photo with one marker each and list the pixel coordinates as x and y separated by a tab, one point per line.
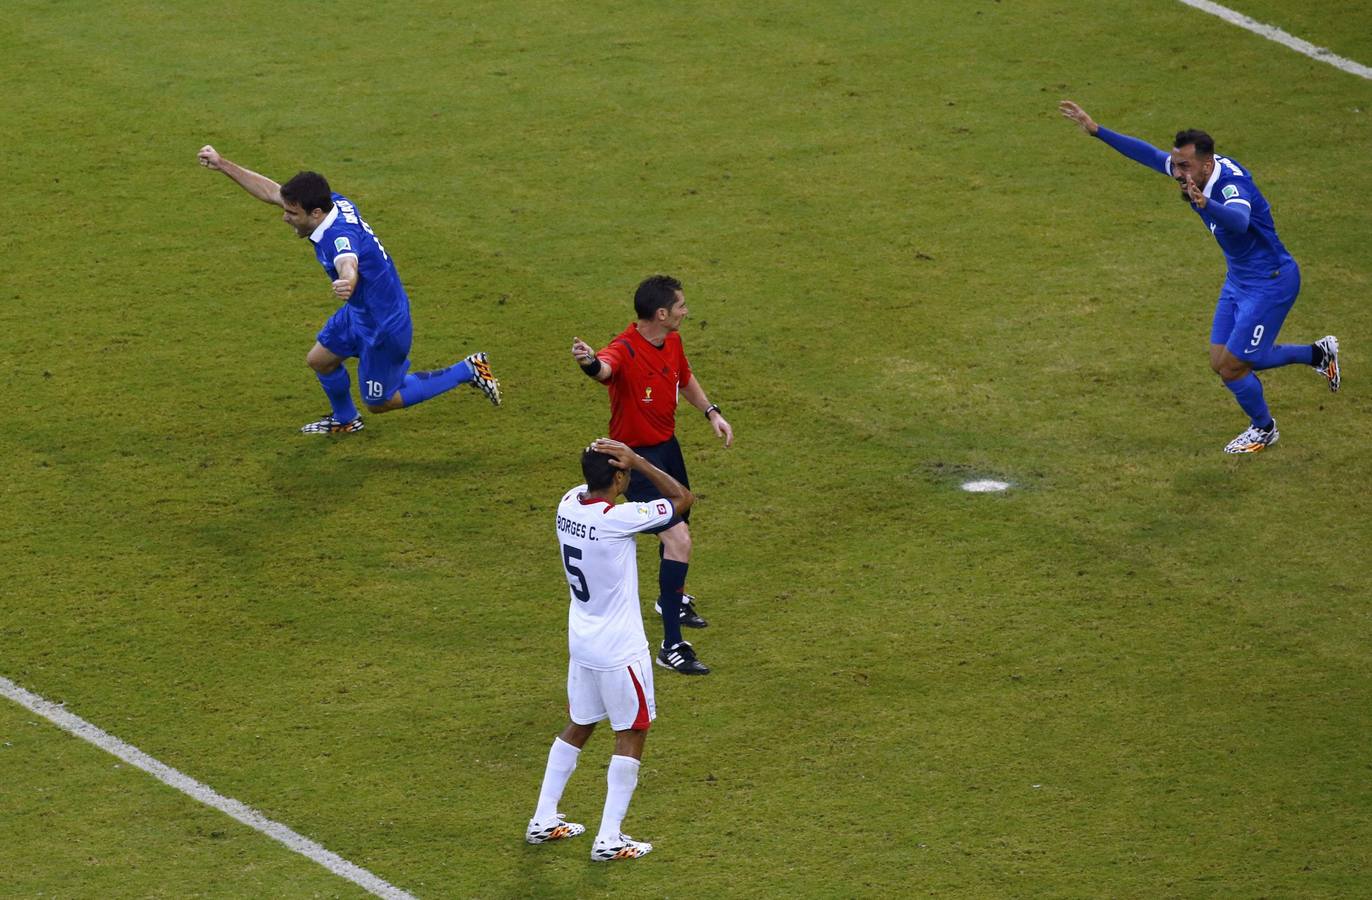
1144	672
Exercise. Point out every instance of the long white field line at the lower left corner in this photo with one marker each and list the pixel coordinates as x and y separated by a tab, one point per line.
187	785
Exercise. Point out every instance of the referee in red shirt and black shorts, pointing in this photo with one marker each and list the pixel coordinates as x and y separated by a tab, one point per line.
644	370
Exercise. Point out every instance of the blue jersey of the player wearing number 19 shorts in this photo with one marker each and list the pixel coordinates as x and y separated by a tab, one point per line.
379	305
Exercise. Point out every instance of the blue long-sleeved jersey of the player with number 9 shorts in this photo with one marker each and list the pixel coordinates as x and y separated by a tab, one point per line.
1253	253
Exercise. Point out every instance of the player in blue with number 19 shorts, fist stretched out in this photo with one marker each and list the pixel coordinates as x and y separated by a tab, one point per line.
374	324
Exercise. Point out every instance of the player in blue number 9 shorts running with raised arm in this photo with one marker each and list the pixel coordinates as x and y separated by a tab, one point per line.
1263	279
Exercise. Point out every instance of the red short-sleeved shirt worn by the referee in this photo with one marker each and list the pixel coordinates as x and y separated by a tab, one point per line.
643	388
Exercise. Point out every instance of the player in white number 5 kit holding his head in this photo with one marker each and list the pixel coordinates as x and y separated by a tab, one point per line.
611	673
